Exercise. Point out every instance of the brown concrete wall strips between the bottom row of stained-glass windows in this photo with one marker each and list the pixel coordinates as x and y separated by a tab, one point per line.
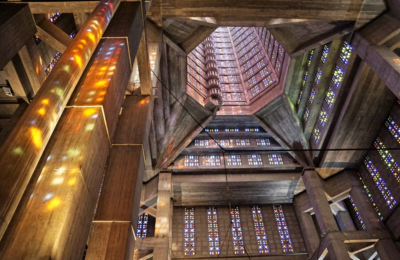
225	235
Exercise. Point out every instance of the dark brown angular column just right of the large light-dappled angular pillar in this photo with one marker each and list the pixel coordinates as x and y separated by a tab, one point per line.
117	213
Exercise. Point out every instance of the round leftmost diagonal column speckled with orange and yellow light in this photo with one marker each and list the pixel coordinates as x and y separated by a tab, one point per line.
24	147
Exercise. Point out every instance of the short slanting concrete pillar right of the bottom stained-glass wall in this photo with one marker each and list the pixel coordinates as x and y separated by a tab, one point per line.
322	210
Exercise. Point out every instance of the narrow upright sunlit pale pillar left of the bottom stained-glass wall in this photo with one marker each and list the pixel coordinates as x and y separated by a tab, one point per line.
164	218
